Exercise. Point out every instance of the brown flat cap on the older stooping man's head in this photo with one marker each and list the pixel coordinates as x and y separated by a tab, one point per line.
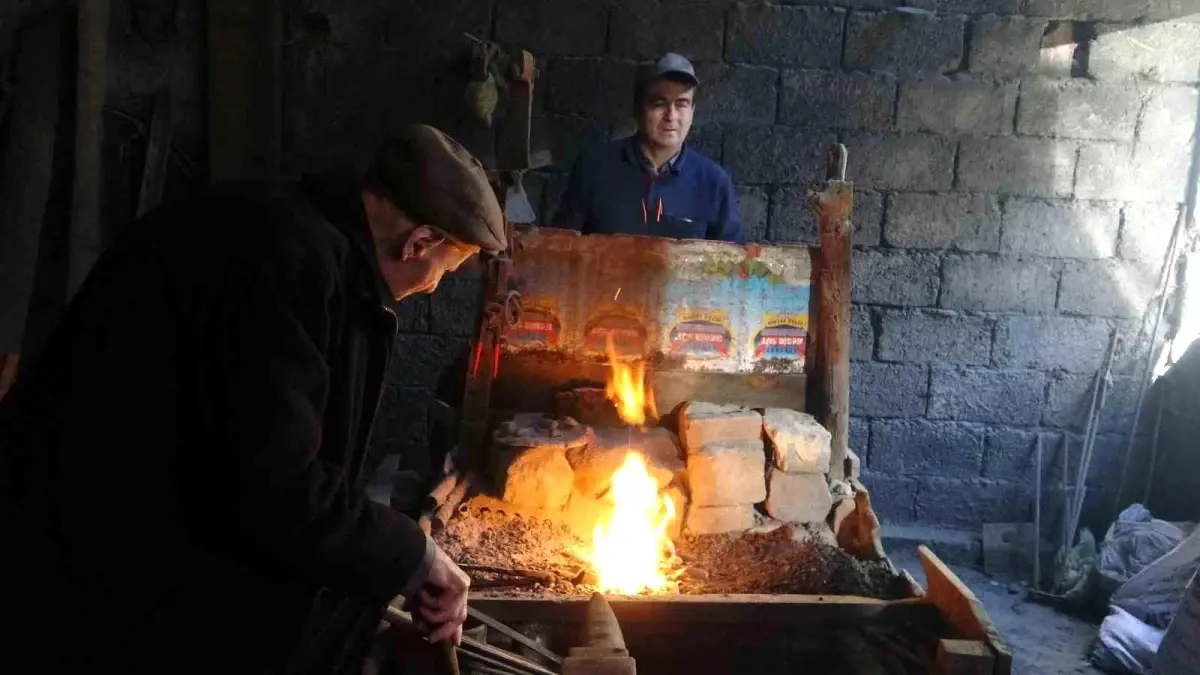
436	182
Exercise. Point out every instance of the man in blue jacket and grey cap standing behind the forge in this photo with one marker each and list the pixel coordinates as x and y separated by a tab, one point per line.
653	183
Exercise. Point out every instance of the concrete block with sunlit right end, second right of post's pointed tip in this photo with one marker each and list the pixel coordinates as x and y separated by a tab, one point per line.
1028	168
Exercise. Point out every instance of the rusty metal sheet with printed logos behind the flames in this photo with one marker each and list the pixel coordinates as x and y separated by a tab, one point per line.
701	307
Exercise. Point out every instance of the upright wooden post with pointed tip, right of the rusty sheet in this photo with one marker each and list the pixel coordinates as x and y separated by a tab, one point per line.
831	404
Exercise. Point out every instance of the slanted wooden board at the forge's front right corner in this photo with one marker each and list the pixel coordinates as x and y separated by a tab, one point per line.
964	612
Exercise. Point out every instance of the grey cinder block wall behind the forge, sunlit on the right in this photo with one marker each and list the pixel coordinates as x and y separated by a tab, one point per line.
1019	166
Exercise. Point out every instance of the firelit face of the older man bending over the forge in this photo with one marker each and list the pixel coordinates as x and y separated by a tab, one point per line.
413	258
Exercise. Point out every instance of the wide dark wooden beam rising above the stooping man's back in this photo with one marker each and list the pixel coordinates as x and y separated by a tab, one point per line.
245	100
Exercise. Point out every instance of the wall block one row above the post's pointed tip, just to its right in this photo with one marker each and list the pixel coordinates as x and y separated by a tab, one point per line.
957	106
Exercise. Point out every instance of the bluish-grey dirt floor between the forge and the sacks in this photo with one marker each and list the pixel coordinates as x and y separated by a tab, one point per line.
1043	641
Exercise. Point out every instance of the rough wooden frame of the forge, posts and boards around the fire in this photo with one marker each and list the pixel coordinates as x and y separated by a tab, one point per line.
760	634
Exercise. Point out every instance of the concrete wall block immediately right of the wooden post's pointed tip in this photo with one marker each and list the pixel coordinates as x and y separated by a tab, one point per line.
901	162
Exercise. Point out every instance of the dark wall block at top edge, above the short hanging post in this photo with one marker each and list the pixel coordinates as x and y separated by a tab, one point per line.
555	28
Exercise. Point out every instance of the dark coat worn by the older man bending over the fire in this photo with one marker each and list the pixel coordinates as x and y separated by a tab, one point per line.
181	468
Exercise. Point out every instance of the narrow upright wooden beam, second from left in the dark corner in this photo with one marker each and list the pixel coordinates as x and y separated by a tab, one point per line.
87	237
